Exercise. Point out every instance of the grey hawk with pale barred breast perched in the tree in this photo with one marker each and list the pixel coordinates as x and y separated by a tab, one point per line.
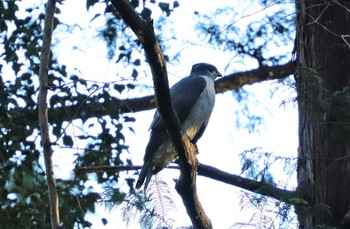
193	99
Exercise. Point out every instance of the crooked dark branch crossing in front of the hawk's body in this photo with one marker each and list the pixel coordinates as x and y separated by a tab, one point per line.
186	185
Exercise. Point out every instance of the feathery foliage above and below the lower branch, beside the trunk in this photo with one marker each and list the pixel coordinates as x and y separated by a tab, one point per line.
258	165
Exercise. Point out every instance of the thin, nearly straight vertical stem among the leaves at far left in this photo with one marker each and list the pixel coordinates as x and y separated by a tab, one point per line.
42	109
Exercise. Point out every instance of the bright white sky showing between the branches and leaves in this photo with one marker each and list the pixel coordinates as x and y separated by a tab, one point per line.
222	141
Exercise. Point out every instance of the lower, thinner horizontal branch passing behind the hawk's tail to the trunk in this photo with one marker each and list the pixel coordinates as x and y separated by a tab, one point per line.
215	174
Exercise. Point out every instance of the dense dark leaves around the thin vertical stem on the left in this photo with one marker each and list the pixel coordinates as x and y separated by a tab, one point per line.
23	188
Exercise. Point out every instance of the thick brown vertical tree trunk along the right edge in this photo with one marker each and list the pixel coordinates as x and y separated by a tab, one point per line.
323	82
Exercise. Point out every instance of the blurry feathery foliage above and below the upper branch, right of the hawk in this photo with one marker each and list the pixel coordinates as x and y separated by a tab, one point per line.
249	44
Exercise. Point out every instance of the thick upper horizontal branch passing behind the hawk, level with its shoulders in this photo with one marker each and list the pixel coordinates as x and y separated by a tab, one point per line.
113	106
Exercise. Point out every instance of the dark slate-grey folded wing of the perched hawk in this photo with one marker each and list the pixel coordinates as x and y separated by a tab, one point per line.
184	95
